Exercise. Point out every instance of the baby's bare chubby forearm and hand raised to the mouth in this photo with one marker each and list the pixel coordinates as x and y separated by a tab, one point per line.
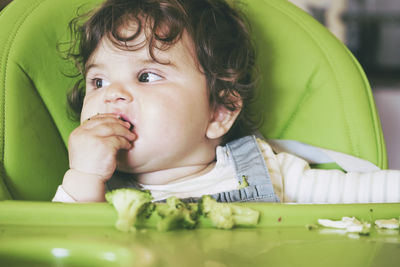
93	148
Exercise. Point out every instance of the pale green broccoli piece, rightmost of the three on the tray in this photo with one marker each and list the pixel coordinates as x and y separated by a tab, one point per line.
226	216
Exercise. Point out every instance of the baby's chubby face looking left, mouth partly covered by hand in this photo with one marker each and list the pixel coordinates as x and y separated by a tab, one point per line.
167	104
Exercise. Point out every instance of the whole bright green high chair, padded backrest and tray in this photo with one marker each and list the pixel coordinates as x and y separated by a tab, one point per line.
311	90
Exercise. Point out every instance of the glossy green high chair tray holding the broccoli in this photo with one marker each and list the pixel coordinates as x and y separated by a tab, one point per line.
56	234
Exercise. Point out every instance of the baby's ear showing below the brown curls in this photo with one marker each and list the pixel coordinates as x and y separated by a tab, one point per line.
222	119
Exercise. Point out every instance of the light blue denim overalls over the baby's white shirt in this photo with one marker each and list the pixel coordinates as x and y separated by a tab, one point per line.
250	168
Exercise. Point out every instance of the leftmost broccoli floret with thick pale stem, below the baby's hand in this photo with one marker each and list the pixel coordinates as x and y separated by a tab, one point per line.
130	203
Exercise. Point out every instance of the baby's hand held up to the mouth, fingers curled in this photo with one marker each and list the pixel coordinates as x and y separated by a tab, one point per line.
93	146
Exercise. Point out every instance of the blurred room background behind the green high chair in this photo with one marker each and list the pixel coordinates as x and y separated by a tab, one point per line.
371	30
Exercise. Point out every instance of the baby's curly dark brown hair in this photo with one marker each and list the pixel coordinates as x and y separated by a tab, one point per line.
220	34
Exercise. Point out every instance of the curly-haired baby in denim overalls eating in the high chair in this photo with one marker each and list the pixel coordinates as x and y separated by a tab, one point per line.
168	84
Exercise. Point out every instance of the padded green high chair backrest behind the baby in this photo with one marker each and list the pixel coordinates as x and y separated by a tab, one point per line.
311	90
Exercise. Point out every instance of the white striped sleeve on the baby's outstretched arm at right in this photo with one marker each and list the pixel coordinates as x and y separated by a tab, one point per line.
302	184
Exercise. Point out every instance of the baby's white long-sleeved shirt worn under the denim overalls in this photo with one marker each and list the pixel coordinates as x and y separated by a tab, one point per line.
292	178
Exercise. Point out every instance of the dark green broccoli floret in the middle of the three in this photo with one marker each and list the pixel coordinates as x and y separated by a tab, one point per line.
176	214
